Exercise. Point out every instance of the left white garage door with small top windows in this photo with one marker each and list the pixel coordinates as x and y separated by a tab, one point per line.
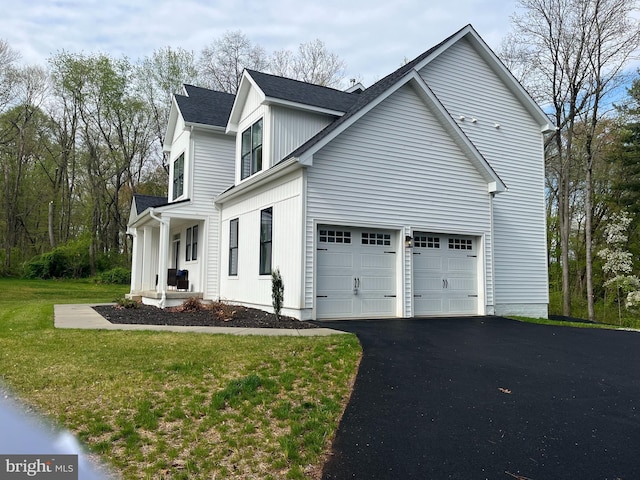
356	273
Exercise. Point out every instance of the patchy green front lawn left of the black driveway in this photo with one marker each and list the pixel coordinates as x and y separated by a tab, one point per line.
168	405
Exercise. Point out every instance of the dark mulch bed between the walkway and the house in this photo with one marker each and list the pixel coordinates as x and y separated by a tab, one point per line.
210	316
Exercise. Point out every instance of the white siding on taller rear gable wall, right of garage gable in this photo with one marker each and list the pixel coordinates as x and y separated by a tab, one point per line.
467	87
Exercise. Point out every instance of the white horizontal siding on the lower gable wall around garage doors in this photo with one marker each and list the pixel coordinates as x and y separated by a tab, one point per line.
397	167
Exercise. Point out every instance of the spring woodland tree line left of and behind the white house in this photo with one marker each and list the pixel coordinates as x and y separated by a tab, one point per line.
80	135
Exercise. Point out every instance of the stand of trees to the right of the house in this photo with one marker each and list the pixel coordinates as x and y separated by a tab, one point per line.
573	56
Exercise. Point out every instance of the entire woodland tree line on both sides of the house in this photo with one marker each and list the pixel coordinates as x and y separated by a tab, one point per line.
81	134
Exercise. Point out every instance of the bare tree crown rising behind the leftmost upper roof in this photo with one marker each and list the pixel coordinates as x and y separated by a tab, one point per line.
224	60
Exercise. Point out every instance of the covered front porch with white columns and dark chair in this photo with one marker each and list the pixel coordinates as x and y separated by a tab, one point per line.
166	264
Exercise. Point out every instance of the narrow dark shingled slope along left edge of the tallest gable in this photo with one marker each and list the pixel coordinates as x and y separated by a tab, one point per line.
366	97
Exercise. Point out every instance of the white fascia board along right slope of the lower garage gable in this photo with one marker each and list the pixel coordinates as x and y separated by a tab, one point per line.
495	184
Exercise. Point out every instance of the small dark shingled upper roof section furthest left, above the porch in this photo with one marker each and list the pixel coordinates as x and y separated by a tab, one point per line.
204	106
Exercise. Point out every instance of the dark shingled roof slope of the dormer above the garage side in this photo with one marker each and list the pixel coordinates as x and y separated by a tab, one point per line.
304	93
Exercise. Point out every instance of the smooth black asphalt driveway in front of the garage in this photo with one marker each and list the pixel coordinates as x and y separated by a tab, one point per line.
487	397
